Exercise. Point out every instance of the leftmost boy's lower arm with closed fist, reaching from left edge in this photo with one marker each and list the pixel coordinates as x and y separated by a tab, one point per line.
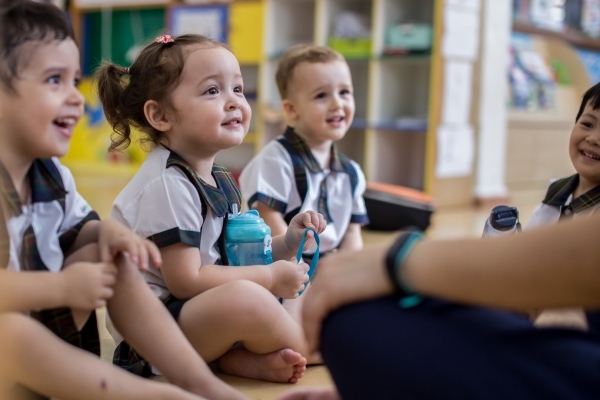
83	286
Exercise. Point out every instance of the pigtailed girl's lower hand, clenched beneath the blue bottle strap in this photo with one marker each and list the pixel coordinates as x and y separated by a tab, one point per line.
288	278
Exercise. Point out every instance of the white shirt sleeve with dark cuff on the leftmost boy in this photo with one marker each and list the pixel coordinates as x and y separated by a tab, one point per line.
77	211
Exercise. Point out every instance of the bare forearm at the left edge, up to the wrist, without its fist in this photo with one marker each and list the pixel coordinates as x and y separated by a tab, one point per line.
26	291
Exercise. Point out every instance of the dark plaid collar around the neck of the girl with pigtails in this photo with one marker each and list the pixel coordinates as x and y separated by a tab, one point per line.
219	198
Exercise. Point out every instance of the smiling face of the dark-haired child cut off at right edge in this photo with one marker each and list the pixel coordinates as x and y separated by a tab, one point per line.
584	147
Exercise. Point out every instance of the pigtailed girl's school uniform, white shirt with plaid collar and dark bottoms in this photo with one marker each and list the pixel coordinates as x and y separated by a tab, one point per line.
168	203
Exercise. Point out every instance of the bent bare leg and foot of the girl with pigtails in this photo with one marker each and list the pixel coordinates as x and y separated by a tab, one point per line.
242	311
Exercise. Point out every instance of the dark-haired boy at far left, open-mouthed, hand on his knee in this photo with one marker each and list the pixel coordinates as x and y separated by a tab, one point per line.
59	263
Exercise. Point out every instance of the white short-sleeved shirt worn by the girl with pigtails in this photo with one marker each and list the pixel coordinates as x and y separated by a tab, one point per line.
163	203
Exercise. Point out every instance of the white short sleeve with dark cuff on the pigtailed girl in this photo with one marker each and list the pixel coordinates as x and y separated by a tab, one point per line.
166	211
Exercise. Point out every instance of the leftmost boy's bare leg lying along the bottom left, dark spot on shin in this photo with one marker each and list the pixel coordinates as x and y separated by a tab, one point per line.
35	358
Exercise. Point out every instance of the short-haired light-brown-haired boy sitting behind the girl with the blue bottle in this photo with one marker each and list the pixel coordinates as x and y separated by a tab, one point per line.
303	169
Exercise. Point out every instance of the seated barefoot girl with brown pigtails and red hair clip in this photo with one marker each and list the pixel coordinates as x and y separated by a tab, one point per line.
186	95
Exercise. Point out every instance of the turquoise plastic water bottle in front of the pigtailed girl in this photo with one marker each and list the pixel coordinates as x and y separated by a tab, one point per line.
248	239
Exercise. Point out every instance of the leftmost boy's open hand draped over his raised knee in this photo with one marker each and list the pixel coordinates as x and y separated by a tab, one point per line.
115	238
